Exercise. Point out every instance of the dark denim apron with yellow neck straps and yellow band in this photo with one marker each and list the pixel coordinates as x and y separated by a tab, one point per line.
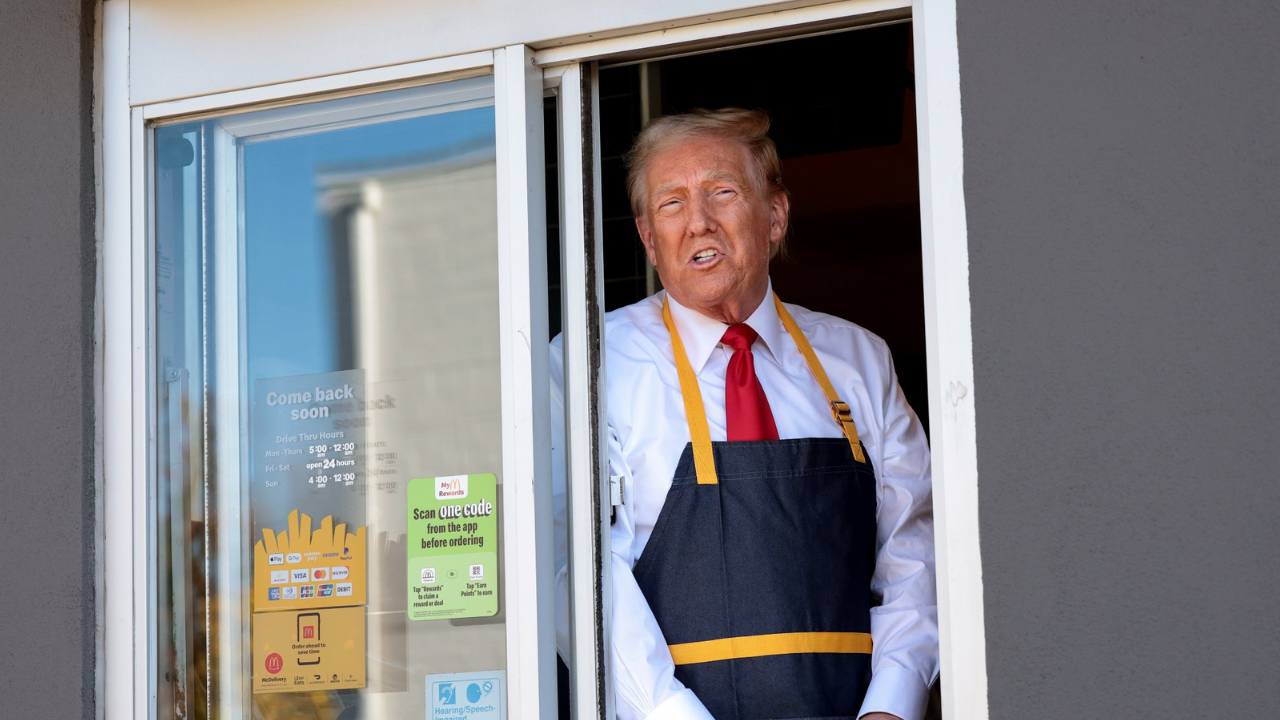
760	566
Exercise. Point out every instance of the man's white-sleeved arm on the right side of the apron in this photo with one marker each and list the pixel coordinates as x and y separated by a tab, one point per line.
906	625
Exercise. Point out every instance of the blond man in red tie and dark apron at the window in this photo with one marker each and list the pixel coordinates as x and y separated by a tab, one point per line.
774	557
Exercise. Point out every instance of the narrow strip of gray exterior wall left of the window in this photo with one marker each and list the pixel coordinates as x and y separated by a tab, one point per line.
47	359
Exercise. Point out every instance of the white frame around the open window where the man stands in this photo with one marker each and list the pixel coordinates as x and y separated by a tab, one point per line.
948	329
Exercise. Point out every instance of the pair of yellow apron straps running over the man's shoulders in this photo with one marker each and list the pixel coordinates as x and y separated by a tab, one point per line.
705	462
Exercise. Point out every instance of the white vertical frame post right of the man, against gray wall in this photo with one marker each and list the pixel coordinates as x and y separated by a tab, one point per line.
949	345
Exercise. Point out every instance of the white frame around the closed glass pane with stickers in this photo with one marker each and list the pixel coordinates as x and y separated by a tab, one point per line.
127	671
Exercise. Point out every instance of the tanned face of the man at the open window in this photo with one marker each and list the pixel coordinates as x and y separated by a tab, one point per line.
707	227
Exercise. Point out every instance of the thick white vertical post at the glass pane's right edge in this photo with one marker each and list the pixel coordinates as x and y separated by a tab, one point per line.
527	494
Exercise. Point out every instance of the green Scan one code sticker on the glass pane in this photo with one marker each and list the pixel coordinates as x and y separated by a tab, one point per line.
452	557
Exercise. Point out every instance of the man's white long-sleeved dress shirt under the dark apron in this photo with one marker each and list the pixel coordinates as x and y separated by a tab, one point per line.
648	432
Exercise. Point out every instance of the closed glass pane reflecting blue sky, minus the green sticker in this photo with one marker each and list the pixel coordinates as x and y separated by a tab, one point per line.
327	326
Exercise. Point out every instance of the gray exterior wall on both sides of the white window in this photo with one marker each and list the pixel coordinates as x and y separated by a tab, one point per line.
1122	176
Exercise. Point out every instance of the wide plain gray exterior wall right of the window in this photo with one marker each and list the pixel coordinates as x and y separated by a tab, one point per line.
1123	192
